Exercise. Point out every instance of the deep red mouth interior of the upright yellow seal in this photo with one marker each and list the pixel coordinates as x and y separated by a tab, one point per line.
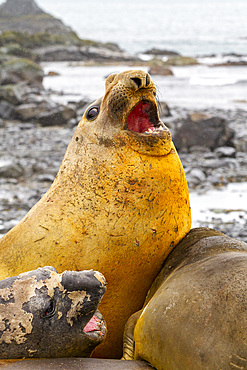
139	118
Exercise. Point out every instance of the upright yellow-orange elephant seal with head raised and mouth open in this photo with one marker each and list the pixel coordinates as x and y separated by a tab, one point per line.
118	205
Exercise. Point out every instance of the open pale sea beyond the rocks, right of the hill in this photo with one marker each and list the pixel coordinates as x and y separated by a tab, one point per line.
191	27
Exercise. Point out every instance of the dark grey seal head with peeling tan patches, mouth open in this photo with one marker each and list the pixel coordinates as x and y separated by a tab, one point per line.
46	314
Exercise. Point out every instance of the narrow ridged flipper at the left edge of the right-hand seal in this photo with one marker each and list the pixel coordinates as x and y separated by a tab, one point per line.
128	339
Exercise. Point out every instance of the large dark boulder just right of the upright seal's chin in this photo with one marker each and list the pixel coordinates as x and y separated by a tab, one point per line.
211	133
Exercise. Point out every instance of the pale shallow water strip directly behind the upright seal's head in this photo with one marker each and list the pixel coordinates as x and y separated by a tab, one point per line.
194	87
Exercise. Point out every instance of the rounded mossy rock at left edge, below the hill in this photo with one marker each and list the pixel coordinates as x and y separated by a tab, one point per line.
21	69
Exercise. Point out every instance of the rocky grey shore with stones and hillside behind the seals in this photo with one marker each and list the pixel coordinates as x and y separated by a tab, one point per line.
36	128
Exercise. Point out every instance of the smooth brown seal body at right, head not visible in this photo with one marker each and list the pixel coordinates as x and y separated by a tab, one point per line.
195	314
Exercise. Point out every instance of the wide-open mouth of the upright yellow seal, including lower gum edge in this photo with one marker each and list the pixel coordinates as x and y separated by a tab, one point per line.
143	118
